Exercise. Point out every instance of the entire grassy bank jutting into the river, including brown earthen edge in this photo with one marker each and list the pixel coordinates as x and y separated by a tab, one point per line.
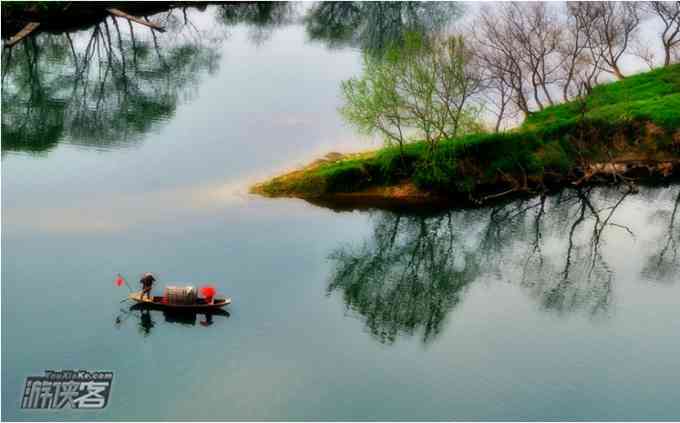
622	132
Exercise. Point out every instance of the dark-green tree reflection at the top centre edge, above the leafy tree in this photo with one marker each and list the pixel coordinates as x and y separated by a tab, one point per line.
371	26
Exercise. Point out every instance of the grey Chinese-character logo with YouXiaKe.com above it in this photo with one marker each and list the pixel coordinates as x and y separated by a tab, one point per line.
75	389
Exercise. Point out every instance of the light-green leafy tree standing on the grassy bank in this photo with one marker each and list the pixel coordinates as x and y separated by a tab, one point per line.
423	89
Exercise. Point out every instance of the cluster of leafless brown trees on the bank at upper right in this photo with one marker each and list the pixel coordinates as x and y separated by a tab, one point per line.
530	53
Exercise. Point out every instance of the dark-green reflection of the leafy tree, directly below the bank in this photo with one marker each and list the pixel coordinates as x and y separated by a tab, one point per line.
408	277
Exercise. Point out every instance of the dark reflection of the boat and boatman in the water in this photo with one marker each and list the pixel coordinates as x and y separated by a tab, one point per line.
146	321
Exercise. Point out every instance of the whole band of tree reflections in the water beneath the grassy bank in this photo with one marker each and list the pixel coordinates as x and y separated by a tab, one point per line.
414	270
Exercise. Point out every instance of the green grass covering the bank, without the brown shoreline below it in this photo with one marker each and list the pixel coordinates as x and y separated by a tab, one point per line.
616	122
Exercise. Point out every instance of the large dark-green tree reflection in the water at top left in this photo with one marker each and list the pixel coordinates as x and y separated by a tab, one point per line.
108	85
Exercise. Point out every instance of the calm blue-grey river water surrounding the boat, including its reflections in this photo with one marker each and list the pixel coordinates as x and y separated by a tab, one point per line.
136	156
